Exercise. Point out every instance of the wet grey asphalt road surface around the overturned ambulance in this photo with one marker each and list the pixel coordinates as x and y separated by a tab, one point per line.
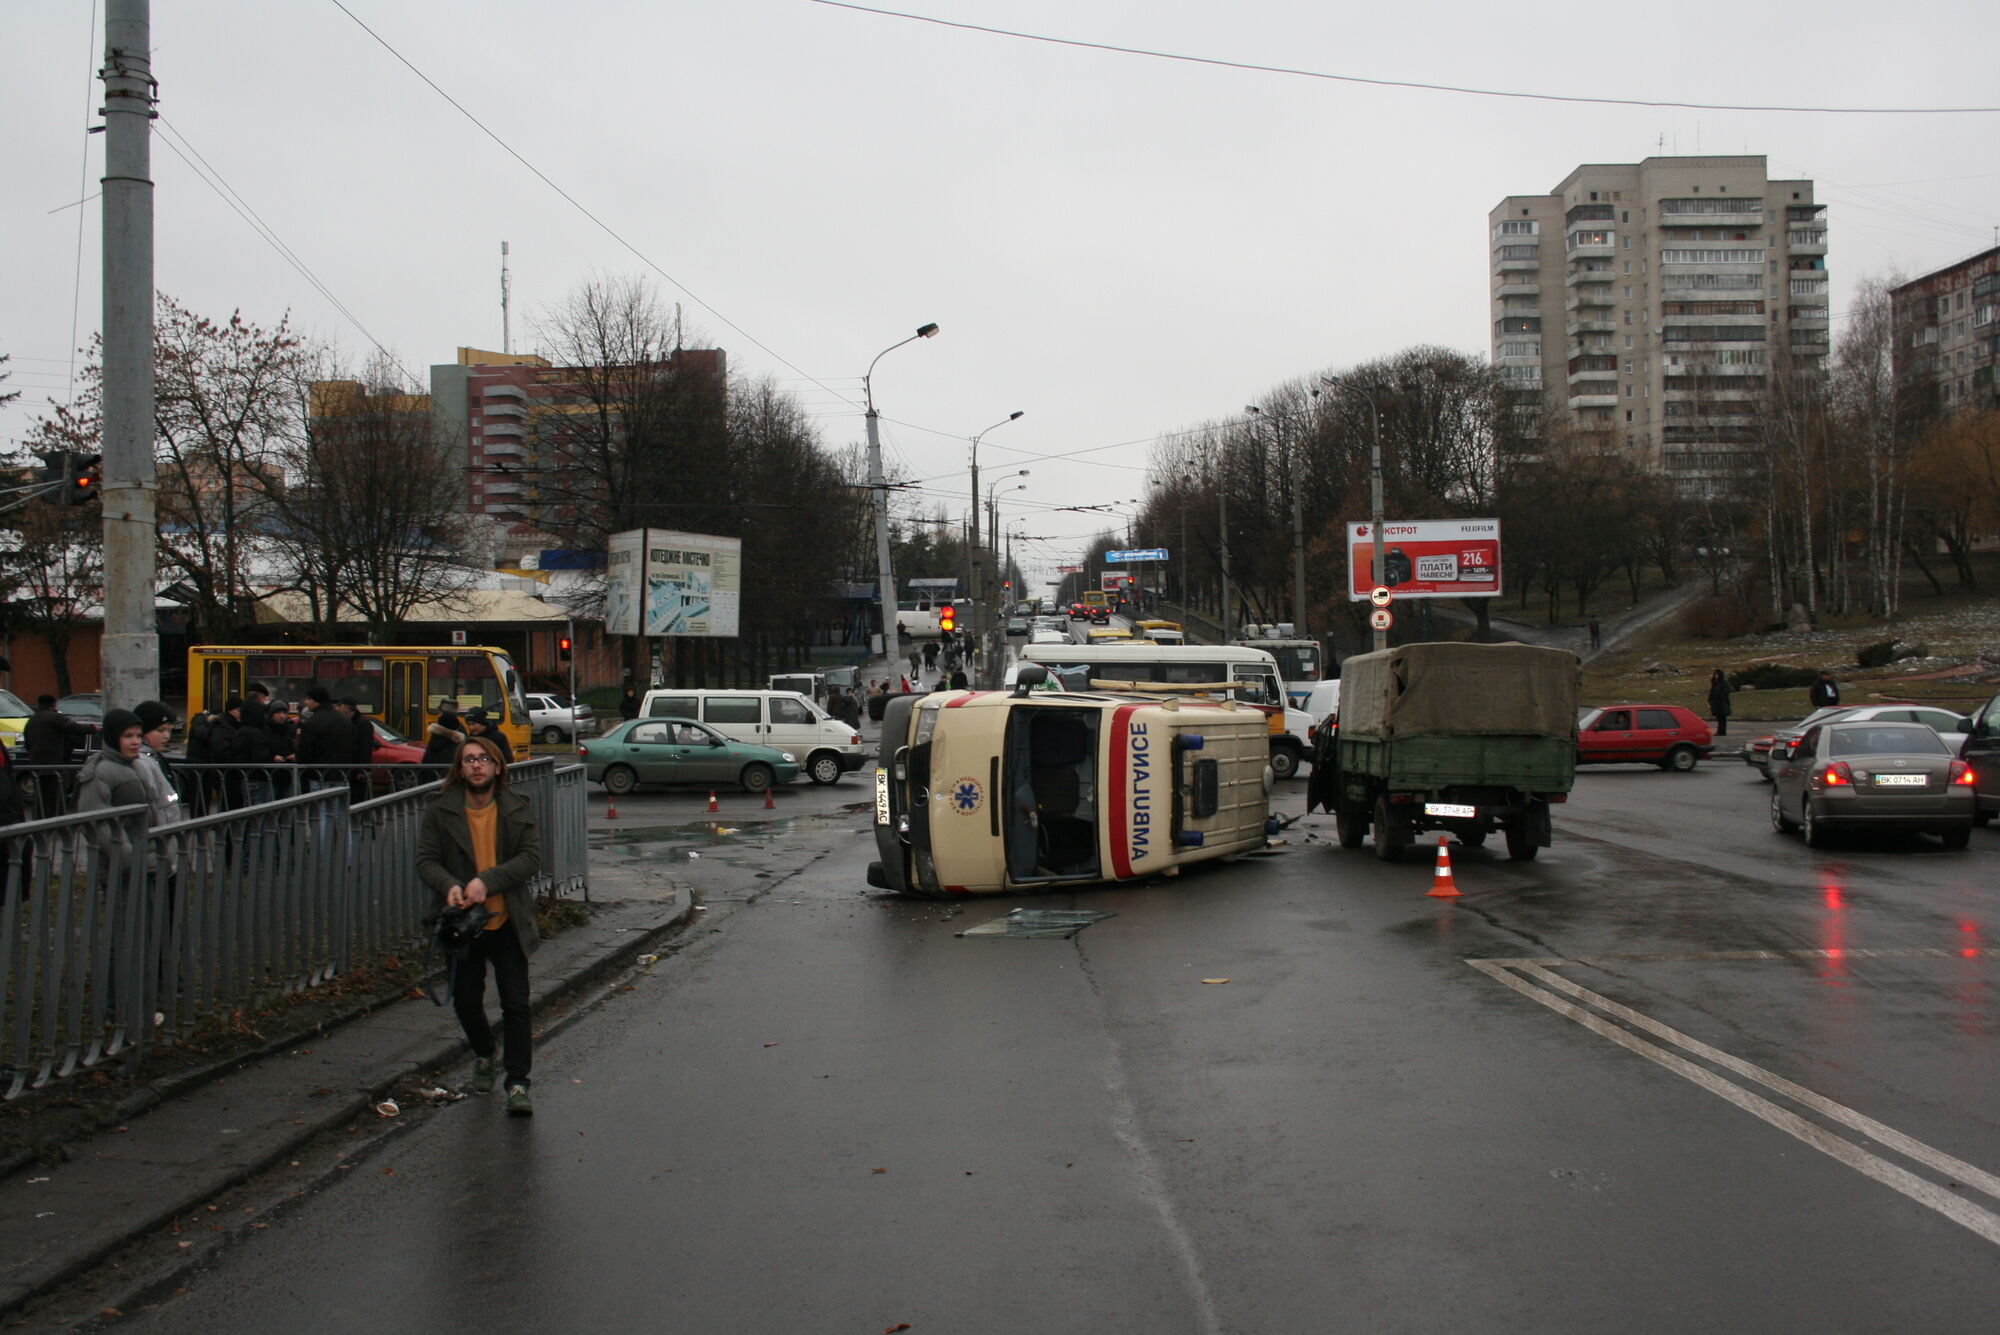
827	1112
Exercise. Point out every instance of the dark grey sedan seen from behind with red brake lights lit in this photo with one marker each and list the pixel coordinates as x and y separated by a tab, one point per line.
1873	776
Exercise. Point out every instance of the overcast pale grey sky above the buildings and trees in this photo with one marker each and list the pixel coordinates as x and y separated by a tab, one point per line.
1115	245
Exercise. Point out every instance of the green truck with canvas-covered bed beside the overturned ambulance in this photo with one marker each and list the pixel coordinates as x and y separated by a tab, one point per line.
1459	738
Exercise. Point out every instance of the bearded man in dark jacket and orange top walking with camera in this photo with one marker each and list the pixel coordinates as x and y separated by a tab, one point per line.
479	850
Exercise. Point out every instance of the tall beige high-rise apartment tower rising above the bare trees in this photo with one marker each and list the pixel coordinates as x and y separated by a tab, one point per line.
1653	301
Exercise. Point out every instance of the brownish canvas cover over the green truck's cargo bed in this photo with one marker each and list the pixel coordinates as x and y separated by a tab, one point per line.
1461	690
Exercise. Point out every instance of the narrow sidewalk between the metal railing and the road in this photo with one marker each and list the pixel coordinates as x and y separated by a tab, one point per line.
227	1126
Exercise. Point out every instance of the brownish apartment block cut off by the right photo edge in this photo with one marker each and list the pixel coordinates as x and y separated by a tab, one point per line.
1949	335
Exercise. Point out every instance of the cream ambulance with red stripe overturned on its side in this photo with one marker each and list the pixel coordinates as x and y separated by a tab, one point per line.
991	792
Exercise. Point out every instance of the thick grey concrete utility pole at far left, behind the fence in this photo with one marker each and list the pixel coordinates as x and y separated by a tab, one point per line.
131	623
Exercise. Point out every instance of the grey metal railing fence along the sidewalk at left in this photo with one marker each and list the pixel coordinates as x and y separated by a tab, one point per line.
117	938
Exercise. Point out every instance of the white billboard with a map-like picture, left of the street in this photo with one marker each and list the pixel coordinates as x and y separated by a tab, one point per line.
659	583
